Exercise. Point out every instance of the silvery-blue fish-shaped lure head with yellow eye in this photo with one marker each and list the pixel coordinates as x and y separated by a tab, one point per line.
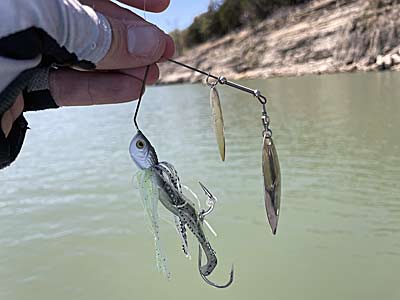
142	152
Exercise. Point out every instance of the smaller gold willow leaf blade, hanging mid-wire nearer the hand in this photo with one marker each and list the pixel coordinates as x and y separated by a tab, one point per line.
218	121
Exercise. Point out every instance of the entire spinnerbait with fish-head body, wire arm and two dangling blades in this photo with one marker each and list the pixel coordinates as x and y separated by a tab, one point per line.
168	188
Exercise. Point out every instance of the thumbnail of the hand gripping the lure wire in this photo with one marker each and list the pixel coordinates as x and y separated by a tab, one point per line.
143	40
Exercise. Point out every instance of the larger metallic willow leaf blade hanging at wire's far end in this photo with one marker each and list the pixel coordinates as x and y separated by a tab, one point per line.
272	182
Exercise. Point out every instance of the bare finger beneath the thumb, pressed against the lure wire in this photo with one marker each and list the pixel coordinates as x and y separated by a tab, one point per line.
75	88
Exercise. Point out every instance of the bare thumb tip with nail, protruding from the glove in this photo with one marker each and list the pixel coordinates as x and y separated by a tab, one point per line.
135	43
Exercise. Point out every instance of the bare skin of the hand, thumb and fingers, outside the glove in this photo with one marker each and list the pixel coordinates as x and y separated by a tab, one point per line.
135	44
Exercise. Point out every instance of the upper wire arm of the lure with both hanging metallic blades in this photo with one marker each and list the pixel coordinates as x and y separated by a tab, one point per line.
270	162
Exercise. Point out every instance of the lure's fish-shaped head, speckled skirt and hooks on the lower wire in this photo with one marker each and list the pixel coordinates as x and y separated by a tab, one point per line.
160	181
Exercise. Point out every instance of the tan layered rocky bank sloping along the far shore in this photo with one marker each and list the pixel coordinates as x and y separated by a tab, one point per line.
323	36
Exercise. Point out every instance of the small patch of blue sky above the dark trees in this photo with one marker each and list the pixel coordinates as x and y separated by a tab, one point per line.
178	15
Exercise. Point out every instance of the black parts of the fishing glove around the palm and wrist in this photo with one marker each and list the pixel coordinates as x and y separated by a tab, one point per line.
33	83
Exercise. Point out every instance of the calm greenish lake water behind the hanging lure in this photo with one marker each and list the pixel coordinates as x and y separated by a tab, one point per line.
72	225
